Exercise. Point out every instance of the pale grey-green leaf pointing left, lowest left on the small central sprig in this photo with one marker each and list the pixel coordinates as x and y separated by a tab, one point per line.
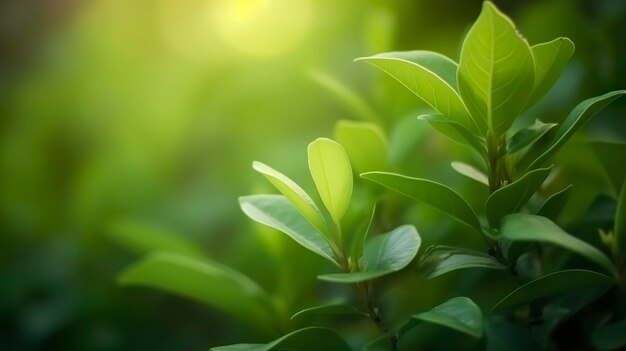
279	213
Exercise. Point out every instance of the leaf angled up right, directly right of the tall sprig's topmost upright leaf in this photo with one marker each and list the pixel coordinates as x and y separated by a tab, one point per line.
550	58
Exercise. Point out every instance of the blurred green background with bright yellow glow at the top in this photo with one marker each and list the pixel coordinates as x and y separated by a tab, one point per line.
150	112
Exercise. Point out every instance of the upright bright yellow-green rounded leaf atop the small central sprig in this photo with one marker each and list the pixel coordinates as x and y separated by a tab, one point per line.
332	174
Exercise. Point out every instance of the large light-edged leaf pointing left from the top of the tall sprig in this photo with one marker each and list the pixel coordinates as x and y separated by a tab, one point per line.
430	76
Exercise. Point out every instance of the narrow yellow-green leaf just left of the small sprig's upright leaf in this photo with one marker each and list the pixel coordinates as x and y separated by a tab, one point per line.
298	197
